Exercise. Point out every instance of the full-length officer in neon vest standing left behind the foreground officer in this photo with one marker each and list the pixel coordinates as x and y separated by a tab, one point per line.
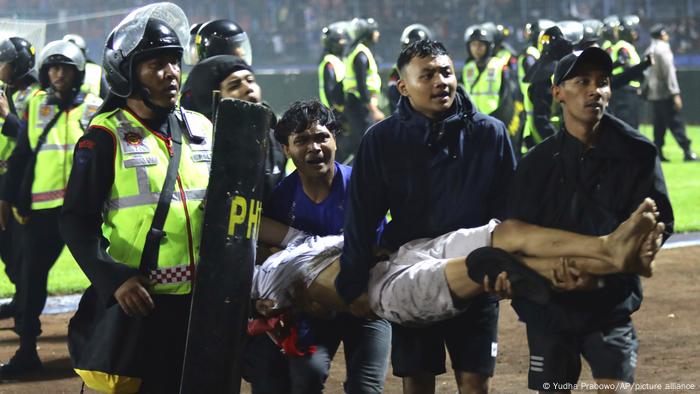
35	185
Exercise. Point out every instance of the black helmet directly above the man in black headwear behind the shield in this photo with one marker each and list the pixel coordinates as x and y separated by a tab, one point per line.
223	37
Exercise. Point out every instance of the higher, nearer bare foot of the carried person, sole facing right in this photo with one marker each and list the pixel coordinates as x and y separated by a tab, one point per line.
624	243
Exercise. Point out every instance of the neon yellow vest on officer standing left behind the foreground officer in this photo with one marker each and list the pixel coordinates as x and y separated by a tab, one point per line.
55	157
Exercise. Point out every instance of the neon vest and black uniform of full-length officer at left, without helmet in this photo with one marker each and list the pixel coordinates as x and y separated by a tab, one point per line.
41	242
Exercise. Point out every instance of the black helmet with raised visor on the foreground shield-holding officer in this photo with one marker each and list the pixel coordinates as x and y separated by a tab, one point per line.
144	33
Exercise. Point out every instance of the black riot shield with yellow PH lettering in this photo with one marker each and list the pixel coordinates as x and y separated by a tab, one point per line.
221	295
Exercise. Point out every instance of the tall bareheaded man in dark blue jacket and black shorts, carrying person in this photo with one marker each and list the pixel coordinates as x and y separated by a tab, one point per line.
437	165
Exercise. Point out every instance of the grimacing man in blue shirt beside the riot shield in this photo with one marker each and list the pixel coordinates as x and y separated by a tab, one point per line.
314	199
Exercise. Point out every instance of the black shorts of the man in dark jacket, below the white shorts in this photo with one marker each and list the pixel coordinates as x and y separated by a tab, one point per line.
471	339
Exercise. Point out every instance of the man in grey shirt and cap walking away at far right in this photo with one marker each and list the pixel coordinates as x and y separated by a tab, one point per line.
664	93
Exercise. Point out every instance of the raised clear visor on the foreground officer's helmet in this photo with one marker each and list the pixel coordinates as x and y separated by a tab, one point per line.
130	31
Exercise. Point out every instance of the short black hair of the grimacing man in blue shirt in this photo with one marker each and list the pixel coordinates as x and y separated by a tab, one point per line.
301	116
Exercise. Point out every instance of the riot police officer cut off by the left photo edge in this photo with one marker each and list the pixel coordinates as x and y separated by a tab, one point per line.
20	84
